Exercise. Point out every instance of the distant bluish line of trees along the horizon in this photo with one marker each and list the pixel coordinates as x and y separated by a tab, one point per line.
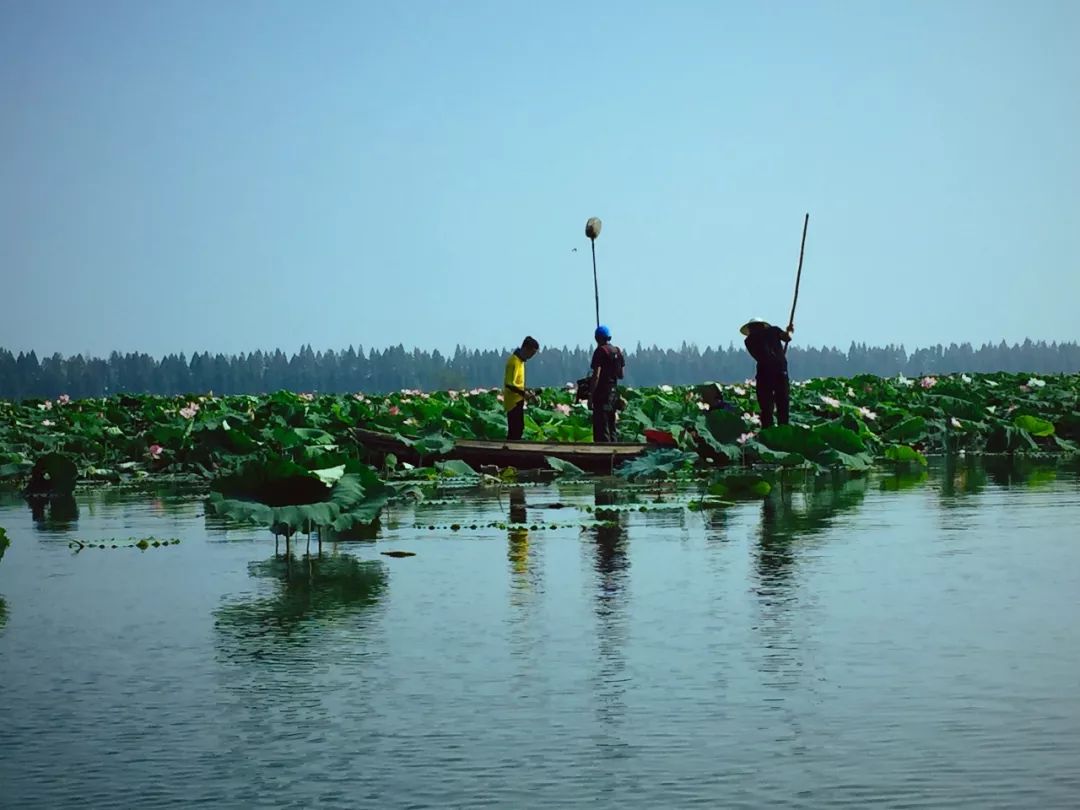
380	371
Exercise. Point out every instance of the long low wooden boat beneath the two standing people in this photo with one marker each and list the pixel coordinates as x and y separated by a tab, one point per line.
596	458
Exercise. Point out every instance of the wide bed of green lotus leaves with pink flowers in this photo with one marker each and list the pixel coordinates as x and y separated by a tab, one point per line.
291	462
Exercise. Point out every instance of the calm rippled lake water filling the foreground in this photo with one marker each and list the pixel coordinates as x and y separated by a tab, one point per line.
887	643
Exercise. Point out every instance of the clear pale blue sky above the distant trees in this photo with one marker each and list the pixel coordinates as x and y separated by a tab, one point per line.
180	177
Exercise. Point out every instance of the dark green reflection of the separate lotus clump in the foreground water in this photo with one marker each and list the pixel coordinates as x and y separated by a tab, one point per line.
312	592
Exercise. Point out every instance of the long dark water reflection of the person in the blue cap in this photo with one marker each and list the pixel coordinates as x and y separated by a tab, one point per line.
612	565
